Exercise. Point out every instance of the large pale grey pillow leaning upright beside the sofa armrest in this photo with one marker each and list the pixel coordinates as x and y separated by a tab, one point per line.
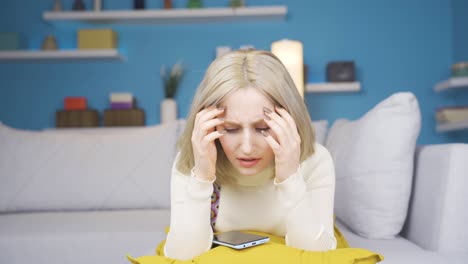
374	166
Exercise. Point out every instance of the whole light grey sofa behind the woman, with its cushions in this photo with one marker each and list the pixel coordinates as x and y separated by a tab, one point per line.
95	195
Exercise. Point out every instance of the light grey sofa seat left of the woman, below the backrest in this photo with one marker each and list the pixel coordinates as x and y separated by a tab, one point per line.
81	237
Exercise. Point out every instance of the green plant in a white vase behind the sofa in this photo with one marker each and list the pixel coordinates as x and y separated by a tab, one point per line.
171	82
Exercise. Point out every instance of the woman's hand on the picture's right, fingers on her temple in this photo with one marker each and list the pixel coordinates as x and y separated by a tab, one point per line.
284	141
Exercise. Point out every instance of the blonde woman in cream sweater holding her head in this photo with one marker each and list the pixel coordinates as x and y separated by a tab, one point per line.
248	161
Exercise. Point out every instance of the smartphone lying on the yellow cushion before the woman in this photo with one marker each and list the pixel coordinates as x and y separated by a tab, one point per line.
239	240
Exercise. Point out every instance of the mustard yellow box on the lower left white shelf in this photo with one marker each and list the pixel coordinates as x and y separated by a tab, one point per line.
97	39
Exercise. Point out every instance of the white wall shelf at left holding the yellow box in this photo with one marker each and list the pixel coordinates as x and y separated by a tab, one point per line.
61	55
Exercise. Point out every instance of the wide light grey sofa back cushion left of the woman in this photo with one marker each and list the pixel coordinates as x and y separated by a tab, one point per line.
81	171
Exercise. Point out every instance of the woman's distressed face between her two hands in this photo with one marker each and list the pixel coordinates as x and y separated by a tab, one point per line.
243	143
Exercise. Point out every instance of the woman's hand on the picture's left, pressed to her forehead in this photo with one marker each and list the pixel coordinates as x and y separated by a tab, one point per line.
203	137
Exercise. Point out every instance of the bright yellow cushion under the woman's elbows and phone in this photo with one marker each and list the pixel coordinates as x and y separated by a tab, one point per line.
274	251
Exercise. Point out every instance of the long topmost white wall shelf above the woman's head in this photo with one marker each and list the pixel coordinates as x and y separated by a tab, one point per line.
171	16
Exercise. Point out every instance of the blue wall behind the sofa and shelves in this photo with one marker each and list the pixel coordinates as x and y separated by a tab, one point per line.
397	45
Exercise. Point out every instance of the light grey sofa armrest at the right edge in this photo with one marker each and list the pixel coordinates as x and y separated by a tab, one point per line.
437	214
